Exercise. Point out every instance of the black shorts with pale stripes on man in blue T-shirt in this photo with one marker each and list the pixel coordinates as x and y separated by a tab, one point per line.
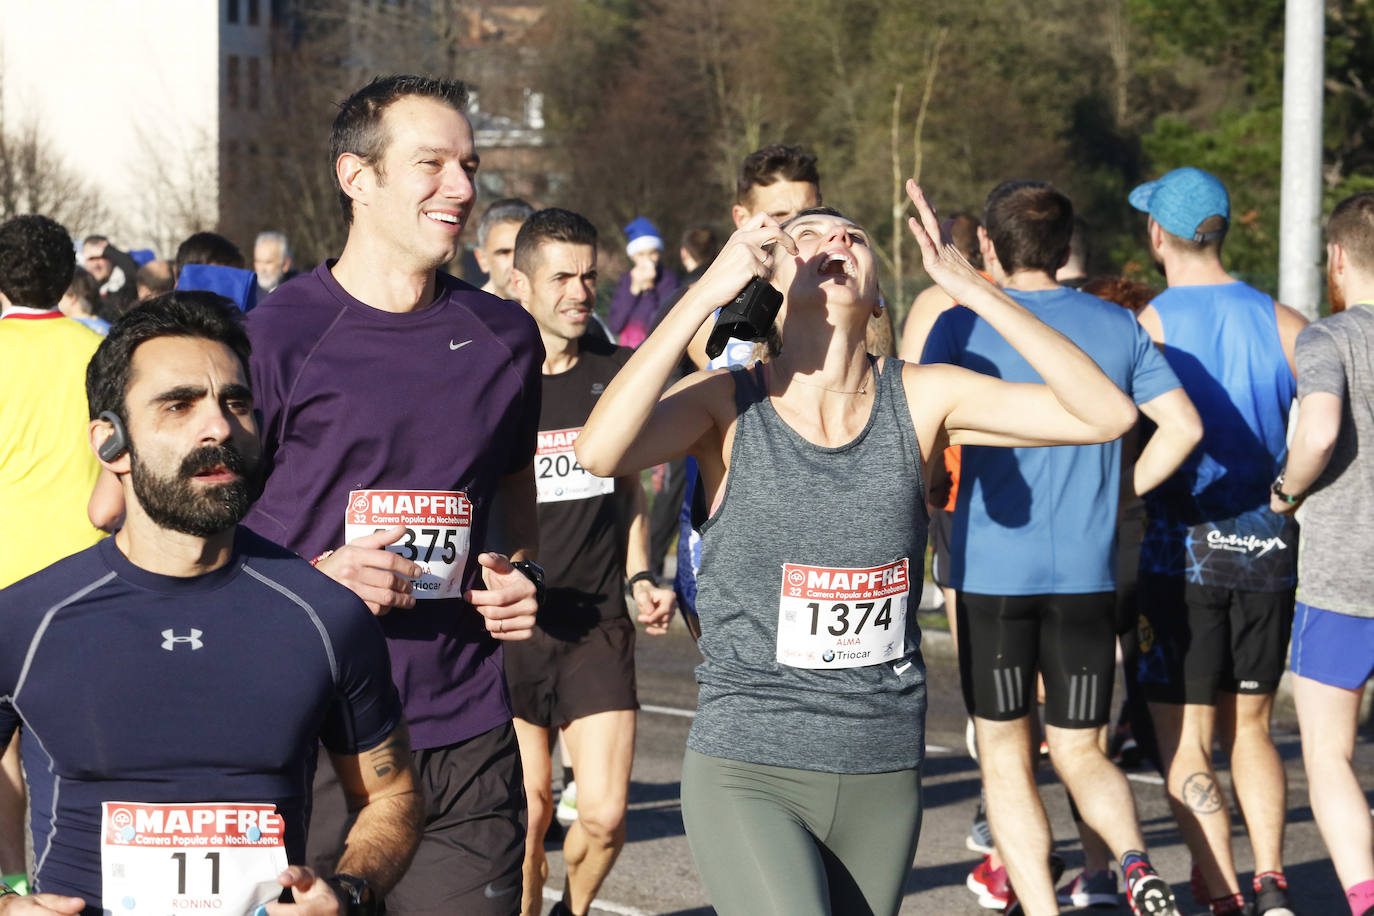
1070	639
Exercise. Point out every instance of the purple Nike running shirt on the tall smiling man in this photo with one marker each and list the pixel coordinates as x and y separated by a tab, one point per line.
443	399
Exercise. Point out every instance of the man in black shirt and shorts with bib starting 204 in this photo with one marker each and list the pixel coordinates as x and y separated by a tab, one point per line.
578	671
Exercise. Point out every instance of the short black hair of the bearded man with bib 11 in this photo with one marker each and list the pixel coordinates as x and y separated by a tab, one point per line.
192	314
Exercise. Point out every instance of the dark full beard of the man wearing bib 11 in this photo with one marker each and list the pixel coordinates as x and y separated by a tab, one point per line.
178	505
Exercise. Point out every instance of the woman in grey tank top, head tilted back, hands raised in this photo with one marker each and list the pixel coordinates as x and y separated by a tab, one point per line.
802	790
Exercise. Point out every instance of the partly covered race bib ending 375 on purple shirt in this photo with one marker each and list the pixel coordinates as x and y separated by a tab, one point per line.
439	532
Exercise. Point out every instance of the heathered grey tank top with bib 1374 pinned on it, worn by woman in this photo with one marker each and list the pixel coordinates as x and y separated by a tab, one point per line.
811	558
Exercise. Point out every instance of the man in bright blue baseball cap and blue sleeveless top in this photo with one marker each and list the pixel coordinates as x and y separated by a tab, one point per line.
1218	566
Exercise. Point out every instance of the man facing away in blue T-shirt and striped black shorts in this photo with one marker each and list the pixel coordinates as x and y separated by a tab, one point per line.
1033	554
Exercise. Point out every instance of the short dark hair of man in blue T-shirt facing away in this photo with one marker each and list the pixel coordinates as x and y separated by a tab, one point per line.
1030	225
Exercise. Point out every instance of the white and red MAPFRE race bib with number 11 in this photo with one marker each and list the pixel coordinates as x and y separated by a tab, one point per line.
218	858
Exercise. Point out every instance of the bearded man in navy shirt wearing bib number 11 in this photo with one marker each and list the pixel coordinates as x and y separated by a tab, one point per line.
172	683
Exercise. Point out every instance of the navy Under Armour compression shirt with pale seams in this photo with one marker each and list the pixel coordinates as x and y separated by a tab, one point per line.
135	687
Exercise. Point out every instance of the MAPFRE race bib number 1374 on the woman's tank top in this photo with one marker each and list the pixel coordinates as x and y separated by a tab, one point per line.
840	617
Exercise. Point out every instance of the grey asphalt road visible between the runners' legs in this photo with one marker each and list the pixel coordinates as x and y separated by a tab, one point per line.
656	874
